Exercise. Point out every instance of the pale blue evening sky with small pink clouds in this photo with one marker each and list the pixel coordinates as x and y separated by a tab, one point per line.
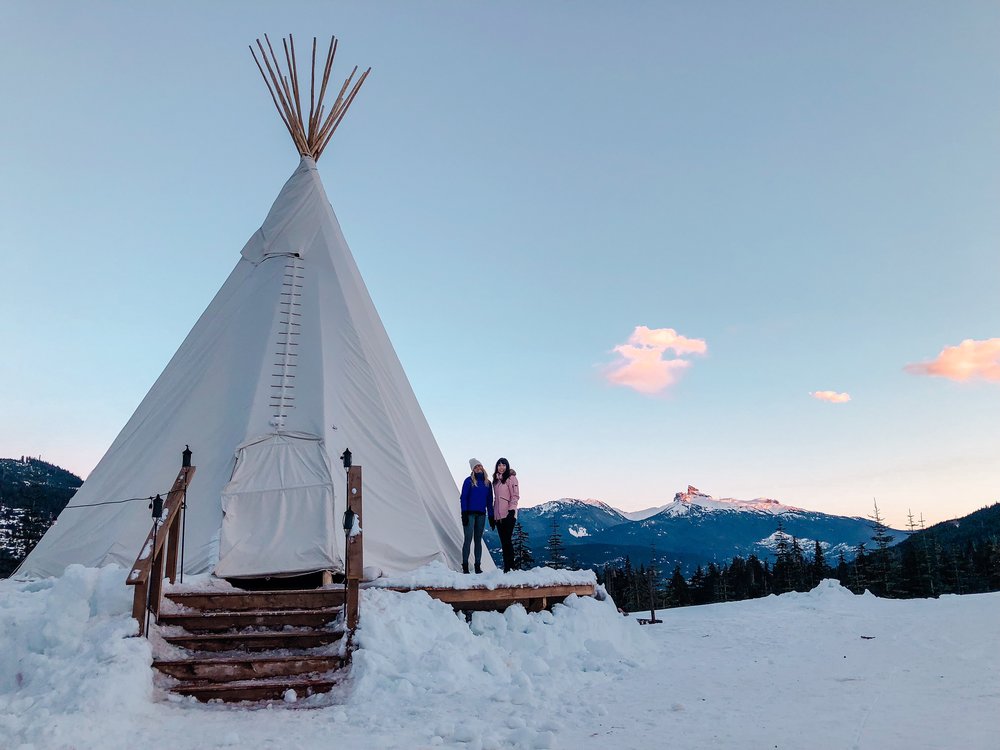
630	247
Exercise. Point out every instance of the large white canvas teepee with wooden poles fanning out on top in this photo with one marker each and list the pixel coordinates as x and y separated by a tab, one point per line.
289	366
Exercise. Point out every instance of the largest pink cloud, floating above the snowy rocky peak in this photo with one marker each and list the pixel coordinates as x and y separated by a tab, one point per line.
643	366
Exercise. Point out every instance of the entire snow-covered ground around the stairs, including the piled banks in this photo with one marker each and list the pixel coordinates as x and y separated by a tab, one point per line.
825	669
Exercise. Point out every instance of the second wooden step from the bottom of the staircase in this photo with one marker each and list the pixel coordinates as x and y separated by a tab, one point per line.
248	667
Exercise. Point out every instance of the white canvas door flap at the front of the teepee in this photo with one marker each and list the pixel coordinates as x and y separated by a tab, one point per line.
278	514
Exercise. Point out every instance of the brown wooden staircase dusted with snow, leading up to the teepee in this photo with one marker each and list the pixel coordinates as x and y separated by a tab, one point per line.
251	645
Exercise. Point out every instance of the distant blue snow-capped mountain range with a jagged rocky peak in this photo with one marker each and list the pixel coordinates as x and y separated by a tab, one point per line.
695	528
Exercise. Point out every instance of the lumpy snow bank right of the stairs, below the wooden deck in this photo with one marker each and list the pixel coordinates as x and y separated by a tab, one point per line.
501	680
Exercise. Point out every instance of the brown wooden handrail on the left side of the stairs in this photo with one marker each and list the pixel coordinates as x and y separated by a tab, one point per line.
159	554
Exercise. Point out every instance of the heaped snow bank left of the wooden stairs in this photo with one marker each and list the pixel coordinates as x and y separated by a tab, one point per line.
66	661
